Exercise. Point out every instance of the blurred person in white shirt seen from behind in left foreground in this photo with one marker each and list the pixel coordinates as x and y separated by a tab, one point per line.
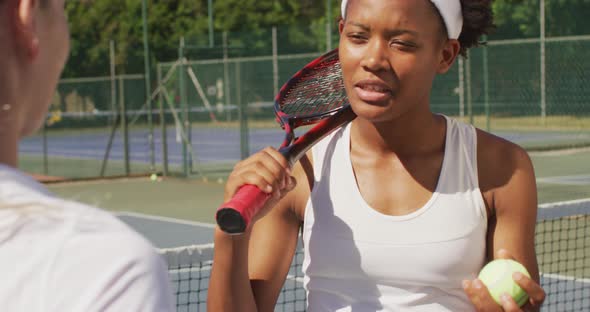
58	255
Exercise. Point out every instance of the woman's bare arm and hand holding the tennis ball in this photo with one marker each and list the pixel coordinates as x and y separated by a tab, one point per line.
507	181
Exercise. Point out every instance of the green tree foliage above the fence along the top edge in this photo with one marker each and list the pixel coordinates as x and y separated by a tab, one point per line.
94	23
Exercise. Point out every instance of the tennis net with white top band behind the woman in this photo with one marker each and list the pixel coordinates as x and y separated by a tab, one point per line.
562	245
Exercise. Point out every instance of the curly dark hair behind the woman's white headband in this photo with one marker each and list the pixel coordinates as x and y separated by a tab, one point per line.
478	20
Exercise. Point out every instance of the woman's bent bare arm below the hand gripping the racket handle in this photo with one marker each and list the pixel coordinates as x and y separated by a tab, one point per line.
249	270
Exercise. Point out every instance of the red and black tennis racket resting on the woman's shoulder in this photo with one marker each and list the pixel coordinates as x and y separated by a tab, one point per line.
314	95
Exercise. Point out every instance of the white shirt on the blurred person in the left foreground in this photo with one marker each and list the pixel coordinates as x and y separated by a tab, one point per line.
58	255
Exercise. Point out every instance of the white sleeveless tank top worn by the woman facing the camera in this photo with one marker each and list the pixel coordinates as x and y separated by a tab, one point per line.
357	259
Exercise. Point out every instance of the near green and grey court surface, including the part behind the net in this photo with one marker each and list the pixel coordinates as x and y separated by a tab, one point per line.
177	216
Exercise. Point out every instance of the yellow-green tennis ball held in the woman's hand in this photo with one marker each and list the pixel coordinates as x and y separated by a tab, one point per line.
497	276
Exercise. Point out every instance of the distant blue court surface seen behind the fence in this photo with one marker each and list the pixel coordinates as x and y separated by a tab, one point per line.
211	145
